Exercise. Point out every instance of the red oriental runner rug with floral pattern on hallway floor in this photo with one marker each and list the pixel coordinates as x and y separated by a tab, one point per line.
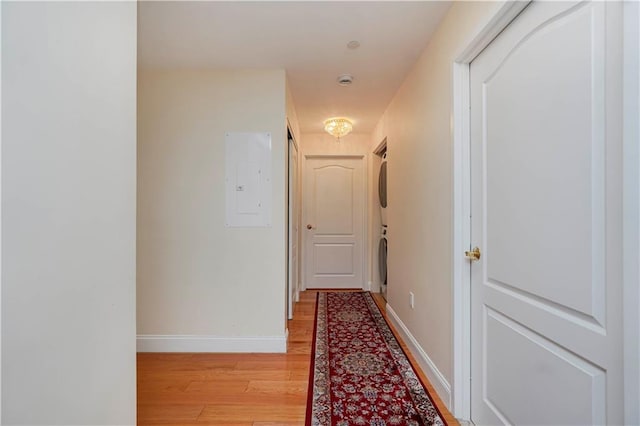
359	373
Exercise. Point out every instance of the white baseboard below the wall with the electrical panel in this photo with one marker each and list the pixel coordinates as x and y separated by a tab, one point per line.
188	343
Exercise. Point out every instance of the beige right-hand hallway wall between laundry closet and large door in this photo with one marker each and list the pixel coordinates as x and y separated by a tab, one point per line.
418	128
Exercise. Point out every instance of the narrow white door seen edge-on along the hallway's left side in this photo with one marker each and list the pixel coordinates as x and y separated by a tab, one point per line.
293	293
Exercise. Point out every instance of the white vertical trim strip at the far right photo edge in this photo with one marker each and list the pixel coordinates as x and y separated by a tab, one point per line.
631	211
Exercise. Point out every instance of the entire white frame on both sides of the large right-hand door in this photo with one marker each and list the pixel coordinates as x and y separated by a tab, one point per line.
505	12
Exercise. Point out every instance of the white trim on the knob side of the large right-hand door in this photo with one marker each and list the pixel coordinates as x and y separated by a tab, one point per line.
505	13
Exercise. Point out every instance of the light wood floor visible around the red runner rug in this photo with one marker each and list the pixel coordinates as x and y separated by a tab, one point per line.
236	389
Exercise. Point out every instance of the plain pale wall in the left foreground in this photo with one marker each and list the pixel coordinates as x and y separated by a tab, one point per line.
68	213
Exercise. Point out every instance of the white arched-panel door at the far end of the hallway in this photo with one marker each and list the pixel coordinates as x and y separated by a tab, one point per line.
334	192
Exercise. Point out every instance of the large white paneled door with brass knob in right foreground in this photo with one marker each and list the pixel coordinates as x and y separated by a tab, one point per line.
546	217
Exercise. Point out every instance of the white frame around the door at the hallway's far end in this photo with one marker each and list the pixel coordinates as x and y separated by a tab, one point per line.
365	214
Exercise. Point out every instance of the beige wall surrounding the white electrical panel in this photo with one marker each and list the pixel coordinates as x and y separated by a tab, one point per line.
195	276
